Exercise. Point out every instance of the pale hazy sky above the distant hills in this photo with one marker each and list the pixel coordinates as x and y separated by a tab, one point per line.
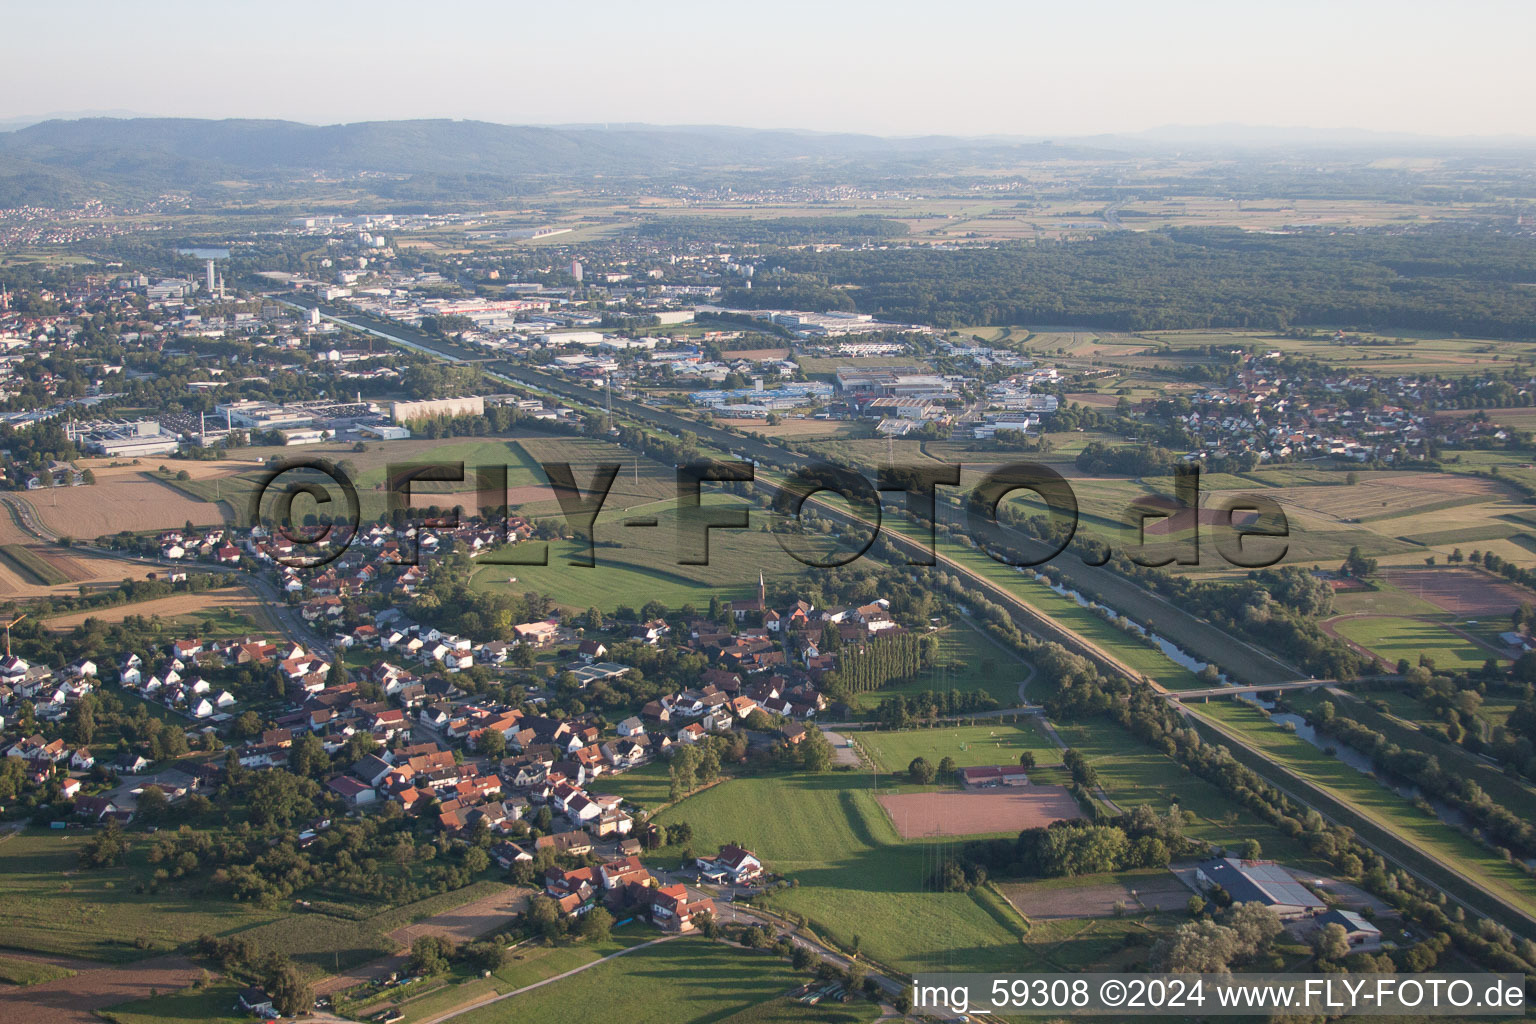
895	68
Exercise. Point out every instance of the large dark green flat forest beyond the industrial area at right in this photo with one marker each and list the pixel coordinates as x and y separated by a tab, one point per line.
1443	279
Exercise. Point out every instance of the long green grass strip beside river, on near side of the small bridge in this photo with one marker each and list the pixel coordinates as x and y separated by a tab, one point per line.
1374	801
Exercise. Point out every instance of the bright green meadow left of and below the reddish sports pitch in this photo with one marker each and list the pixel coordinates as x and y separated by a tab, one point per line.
856	877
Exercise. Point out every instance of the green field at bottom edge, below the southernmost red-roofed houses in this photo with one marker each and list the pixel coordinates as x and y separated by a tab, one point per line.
674	983
